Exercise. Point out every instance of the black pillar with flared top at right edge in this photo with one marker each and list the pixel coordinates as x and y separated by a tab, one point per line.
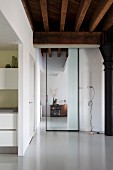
107	52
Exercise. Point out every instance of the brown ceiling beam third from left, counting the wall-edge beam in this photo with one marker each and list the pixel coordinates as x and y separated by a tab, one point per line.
63	14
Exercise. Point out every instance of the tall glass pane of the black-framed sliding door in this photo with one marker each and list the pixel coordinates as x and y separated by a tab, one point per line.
62	91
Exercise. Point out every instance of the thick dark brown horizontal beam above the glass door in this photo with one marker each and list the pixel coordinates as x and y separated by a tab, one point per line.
66	38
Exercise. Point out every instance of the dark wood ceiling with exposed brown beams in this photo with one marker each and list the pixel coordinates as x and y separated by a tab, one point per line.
75	16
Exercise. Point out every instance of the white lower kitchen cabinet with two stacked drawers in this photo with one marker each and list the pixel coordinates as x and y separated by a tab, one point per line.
8	129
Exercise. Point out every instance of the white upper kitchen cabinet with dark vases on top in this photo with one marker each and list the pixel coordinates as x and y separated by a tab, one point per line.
8	78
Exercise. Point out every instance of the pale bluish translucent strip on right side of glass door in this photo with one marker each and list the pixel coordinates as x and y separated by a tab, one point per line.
73	89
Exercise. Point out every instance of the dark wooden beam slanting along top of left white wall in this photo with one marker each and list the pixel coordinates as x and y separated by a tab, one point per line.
28	12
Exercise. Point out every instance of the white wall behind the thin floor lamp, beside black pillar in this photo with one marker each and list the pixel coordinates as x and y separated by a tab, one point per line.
91	74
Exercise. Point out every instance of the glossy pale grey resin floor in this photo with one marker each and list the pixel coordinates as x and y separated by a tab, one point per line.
63	151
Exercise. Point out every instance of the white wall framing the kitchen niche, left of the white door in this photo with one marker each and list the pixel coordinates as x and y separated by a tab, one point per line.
16	17
